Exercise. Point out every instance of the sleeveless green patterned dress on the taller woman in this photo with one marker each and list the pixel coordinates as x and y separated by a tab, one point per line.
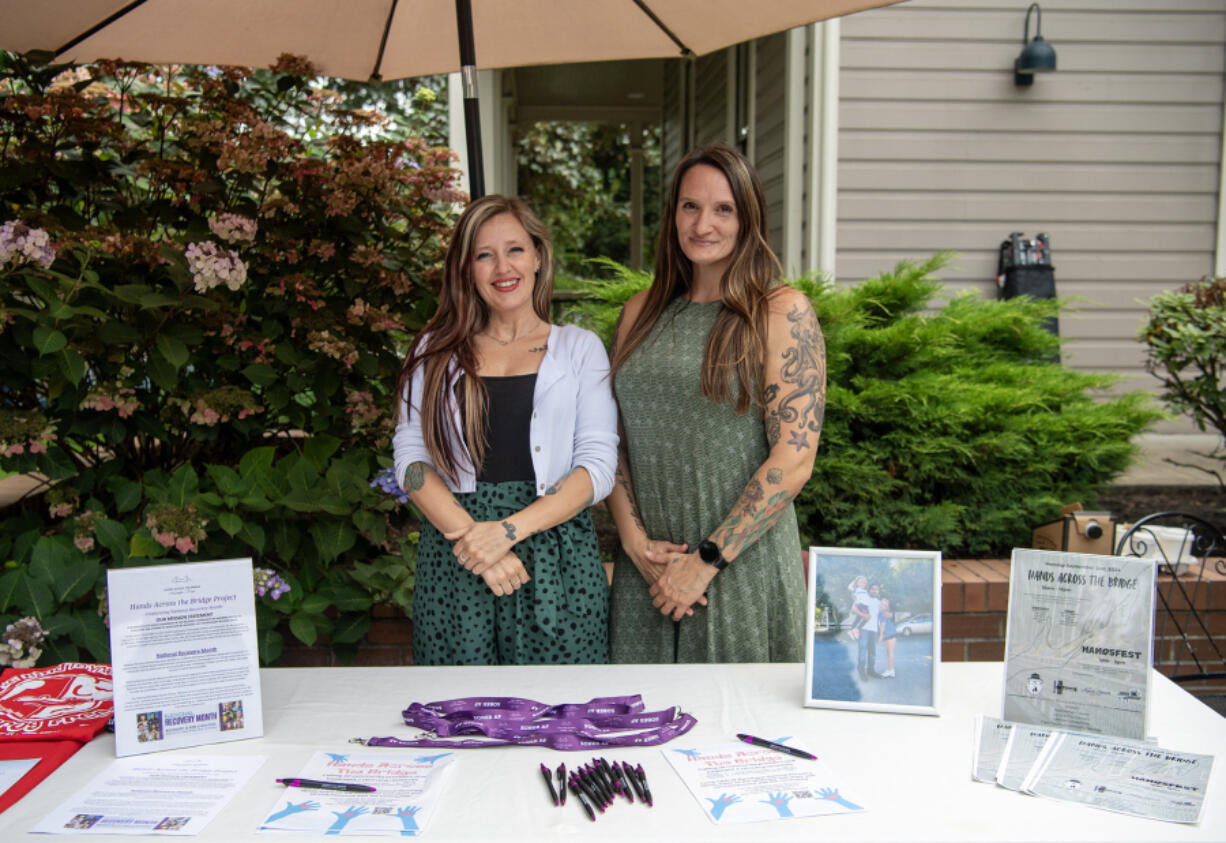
691	459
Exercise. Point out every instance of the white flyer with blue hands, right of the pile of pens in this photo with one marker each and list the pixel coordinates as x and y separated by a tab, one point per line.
741	784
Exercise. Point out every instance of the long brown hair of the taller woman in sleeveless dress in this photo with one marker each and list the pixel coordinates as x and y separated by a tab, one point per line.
739	339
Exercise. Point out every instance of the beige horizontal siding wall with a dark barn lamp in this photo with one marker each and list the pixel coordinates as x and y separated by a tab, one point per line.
1116	155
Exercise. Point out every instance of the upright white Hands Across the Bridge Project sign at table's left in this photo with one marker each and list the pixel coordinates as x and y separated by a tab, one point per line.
183	648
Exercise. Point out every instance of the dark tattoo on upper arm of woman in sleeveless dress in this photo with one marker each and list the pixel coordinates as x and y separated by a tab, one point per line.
804	379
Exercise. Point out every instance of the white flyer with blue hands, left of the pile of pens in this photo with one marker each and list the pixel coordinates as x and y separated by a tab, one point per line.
406	792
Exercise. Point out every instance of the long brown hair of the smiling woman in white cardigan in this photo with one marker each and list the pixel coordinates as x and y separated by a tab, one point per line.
449	336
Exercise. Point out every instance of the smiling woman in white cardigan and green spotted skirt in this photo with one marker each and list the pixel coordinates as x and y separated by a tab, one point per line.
507	433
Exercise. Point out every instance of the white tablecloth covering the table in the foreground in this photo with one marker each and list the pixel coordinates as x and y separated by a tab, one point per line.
913	773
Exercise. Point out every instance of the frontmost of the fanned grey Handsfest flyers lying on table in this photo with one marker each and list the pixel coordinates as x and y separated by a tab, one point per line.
1129	777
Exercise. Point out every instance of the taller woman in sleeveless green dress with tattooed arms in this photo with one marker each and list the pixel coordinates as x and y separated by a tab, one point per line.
720	379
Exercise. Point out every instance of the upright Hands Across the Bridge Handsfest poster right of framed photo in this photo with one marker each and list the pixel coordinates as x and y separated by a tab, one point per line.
1081	643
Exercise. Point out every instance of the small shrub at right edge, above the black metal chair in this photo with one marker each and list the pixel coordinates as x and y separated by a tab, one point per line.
1186	338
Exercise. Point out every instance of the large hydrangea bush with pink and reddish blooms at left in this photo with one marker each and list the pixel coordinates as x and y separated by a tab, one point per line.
208	280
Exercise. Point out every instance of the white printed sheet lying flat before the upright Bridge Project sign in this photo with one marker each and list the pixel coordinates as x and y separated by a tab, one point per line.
153	796
